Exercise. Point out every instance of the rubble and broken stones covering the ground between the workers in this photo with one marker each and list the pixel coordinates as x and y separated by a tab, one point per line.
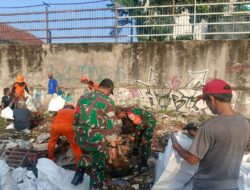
122	172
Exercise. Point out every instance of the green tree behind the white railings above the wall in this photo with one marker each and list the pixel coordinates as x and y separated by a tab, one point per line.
158	30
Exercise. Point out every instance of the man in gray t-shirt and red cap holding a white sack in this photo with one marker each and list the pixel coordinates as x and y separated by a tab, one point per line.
220	143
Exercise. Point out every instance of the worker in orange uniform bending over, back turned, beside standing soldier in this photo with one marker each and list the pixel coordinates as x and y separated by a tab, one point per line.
62	125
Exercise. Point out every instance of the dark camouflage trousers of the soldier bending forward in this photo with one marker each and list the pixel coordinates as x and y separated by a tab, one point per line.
143	140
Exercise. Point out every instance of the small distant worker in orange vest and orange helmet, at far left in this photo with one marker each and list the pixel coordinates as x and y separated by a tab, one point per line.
19	88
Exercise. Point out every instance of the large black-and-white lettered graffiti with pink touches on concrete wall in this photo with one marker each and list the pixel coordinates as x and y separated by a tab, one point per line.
172	95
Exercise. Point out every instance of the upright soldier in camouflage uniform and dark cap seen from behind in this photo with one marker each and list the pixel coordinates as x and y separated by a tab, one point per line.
93	130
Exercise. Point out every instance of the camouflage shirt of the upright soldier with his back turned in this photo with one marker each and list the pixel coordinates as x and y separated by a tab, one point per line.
94	121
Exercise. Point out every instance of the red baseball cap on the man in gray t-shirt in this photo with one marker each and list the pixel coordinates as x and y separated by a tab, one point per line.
215	86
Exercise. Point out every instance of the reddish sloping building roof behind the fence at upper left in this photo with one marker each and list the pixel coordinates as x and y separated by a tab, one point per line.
11	35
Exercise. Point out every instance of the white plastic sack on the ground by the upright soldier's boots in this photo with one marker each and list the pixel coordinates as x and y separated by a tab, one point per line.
53	177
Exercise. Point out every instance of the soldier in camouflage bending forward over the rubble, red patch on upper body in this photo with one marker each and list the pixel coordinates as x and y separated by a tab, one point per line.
141	124
